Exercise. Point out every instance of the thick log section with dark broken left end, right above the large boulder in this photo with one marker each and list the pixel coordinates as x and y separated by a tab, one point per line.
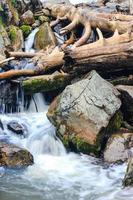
111	58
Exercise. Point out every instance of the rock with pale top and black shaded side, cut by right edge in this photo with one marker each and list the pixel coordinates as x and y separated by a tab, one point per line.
127	102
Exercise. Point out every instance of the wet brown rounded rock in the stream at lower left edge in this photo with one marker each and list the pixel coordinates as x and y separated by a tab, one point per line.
14	157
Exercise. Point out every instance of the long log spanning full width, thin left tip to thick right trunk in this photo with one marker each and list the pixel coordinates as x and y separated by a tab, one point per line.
110	58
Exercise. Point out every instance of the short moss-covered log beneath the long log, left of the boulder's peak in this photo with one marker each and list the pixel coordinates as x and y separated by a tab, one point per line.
45	83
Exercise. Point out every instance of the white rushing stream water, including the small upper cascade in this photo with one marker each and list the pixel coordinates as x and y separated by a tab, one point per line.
56	174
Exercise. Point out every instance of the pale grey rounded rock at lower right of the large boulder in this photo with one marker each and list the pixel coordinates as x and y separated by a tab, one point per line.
118	147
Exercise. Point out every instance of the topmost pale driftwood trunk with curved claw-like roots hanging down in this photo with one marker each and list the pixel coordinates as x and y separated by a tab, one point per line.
89	19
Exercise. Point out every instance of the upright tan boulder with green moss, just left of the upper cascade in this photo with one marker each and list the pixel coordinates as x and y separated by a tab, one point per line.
16	37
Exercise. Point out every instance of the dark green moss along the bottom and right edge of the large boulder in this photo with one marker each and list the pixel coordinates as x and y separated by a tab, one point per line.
76	143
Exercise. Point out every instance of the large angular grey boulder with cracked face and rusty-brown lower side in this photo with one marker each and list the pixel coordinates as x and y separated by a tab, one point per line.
83	111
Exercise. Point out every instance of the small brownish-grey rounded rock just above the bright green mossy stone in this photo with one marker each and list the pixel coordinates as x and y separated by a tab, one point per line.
27	18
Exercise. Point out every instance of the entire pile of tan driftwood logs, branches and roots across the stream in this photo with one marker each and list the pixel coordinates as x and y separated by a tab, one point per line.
105	54
